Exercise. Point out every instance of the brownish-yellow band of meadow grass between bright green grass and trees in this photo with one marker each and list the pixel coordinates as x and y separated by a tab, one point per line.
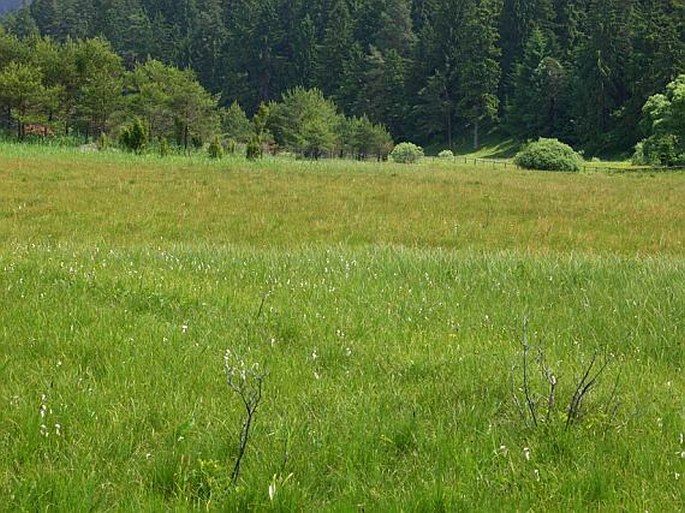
120	199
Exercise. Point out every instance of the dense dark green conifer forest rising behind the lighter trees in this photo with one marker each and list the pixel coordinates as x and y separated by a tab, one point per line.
429	70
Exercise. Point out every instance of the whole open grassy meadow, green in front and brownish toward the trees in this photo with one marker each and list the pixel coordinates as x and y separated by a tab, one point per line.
385	303
